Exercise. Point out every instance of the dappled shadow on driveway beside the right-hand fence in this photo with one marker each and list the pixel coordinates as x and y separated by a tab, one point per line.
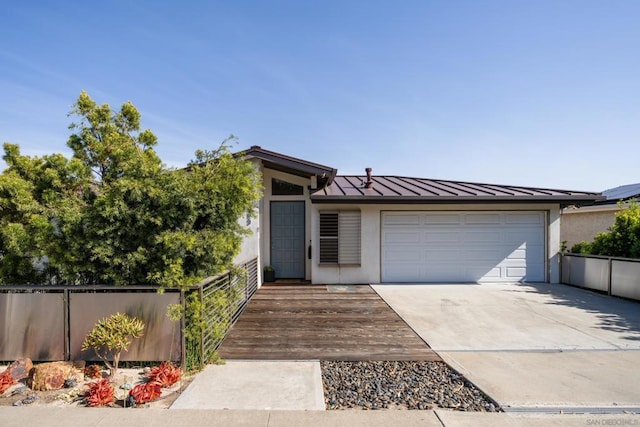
614	314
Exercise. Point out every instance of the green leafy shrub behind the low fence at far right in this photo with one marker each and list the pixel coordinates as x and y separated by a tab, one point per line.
621	240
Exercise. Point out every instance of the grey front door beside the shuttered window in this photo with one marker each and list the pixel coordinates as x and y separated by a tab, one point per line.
287	239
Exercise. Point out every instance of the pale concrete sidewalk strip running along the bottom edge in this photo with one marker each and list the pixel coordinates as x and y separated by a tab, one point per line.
99	417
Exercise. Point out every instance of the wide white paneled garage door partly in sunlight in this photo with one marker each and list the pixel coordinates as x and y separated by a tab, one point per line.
463	246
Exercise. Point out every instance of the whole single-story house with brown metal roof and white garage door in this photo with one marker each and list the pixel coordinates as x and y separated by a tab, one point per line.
316	225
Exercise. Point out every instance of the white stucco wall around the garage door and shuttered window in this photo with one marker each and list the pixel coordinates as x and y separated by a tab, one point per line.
370	269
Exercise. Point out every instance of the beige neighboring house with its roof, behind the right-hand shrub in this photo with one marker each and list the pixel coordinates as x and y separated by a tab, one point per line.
585	222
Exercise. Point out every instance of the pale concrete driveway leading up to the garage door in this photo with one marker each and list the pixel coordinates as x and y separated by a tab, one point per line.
536	347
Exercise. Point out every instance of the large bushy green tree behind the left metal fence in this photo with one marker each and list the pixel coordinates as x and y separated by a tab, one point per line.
114	213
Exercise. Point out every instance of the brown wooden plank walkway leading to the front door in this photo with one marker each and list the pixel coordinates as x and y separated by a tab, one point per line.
303	322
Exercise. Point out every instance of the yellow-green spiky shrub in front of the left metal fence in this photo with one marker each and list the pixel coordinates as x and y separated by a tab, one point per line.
111	336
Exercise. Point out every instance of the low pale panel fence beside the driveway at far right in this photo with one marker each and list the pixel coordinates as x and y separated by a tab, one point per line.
616	276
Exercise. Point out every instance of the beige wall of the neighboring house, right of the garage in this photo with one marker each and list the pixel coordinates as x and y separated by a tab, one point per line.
585	223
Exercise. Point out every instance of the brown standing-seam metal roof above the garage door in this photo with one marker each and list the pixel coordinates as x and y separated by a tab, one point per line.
397	189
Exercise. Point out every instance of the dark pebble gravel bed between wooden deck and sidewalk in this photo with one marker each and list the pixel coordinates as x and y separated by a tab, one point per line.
400	385
